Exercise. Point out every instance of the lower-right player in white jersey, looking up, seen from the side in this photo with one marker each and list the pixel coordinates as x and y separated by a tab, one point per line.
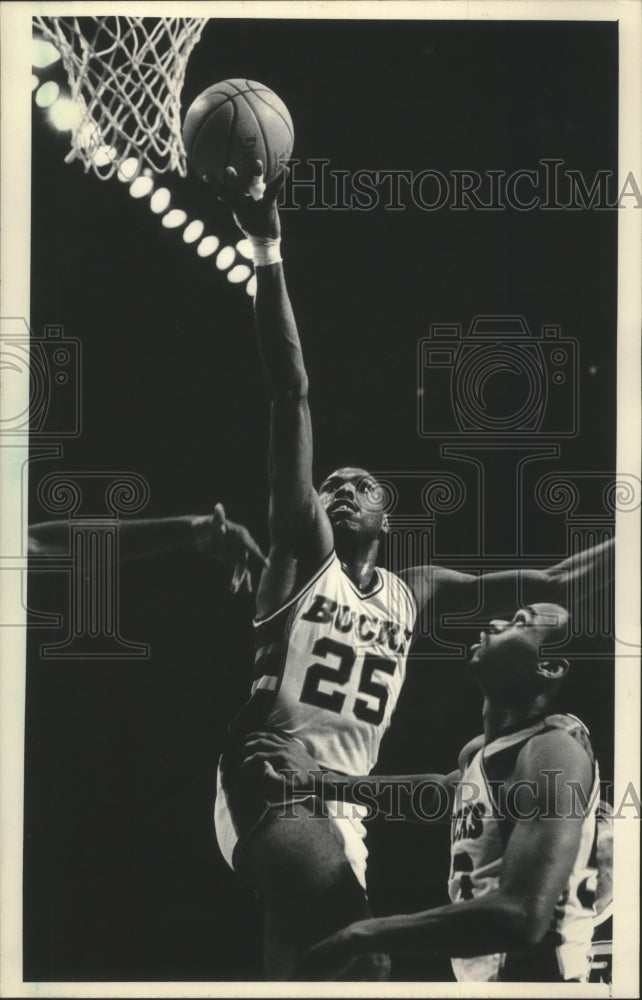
523	801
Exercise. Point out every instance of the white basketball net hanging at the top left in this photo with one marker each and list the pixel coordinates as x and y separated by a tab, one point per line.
126	76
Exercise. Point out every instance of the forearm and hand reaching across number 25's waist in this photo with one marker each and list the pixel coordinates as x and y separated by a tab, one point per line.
283	767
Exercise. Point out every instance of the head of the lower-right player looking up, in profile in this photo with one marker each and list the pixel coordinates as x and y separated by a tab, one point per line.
509	661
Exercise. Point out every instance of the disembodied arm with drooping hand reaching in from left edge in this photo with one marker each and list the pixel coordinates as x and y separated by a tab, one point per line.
212	534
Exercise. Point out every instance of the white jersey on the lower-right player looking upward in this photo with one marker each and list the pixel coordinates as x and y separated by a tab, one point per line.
477	847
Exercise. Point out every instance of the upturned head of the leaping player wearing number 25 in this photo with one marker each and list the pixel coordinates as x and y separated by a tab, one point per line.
355	503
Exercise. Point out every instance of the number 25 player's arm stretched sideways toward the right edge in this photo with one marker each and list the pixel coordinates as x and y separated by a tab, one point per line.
588	570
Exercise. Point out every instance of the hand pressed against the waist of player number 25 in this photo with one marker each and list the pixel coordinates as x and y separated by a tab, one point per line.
280	763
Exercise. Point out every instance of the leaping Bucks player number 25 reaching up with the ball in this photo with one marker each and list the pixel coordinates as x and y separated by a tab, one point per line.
332	632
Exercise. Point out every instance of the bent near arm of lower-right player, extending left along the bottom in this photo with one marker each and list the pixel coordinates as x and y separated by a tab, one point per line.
538	860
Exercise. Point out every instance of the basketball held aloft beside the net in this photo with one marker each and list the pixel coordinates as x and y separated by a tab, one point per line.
234	123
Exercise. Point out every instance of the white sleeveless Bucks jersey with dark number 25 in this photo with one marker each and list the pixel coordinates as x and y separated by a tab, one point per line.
330	665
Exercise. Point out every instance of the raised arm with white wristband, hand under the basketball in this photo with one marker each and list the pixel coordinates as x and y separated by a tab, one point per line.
300	533
